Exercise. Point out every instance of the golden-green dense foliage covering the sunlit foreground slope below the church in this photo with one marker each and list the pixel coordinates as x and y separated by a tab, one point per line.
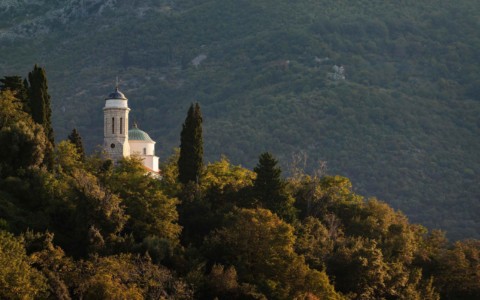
92	229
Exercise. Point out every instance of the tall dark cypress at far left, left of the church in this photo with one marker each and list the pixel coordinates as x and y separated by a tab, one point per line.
39	101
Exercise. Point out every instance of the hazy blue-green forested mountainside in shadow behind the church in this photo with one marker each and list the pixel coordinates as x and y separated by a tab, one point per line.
386	92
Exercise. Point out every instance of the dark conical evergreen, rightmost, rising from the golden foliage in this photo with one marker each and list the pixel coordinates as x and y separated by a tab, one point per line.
269	189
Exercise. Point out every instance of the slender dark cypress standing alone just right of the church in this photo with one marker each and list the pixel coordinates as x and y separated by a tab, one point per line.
190	162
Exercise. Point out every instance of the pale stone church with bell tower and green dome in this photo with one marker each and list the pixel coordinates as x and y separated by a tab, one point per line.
118	140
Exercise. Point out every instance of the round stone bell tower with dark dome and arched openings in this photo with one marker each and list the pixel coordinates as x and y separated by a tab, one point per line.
115	126
